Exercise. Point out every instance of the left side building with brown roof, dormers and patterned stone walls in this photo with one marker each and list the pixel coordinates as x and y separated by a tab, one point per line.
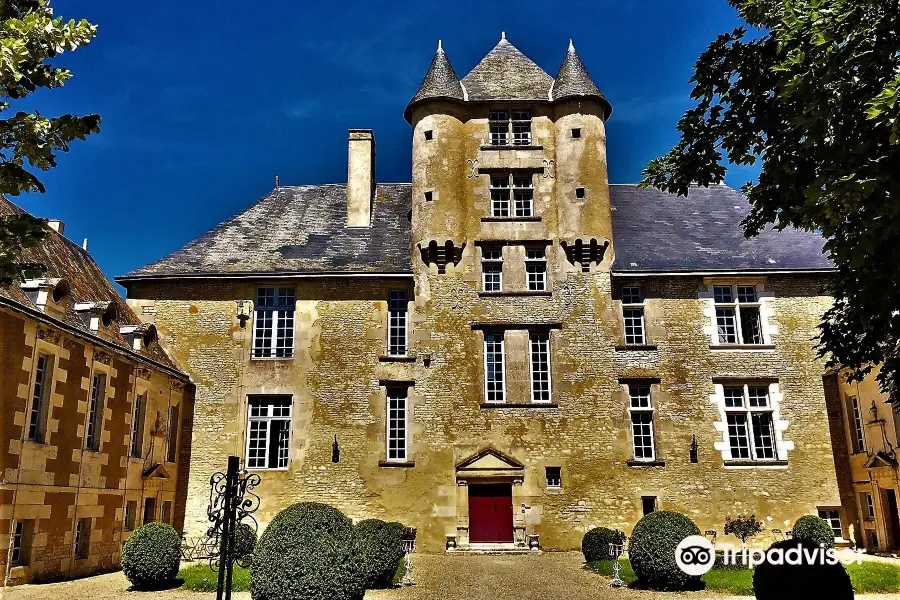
95	420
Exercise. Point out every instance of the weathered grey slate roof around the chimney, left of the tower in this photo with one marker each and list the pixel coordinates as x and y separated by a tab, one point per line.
299	230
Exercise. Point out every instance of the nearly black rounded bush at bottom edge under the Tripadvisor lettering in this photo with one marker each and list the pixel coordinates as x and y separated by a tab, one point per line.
777	581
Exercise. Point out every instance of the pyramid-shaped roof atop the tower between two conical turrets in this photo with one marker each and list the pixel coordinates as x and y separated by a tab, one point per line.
507	74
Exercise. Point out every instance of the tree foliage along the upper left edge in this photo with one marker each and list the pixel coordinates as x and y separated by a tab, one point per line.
30	37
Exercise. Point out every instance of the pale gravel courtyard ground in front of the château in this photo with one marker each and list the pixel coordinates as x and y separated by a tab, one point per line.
545	576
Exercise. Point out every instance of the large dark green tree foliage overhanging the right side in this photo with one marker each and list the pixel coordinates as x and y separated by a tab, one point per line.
810	89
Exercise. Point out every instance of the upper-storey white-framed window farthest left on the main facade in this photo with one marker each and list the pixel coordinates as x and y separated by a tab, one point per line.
273	331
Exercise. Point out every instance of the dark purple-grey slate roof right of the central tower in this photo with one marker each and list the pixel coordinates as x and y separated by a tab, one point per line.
654	231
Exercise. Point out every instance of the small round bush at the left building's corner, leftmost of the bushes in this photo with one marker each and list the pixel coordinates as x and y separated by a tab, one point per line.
151	556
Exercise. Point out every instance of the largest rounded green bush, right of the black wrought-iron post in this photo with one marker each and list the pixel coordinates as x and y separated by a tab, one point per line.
307	552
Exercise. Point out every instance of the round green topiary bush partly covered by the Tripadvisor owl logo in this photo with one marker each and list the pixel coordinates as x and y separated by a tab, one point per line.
652	551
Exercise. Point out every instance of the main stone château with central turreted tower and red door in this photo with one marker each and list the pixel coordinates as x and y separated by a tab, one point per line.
508	349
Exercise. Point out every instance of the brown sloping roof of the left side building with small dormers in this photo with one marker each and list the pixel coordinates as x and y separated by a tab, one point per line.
86	283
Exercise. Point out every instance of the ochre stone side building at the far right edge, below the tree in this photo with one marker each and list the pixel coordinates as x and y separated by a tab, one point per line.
866	437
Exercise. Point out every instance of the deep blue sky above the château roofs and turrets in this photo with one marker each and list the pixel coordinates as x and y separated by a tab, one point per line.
204	102
